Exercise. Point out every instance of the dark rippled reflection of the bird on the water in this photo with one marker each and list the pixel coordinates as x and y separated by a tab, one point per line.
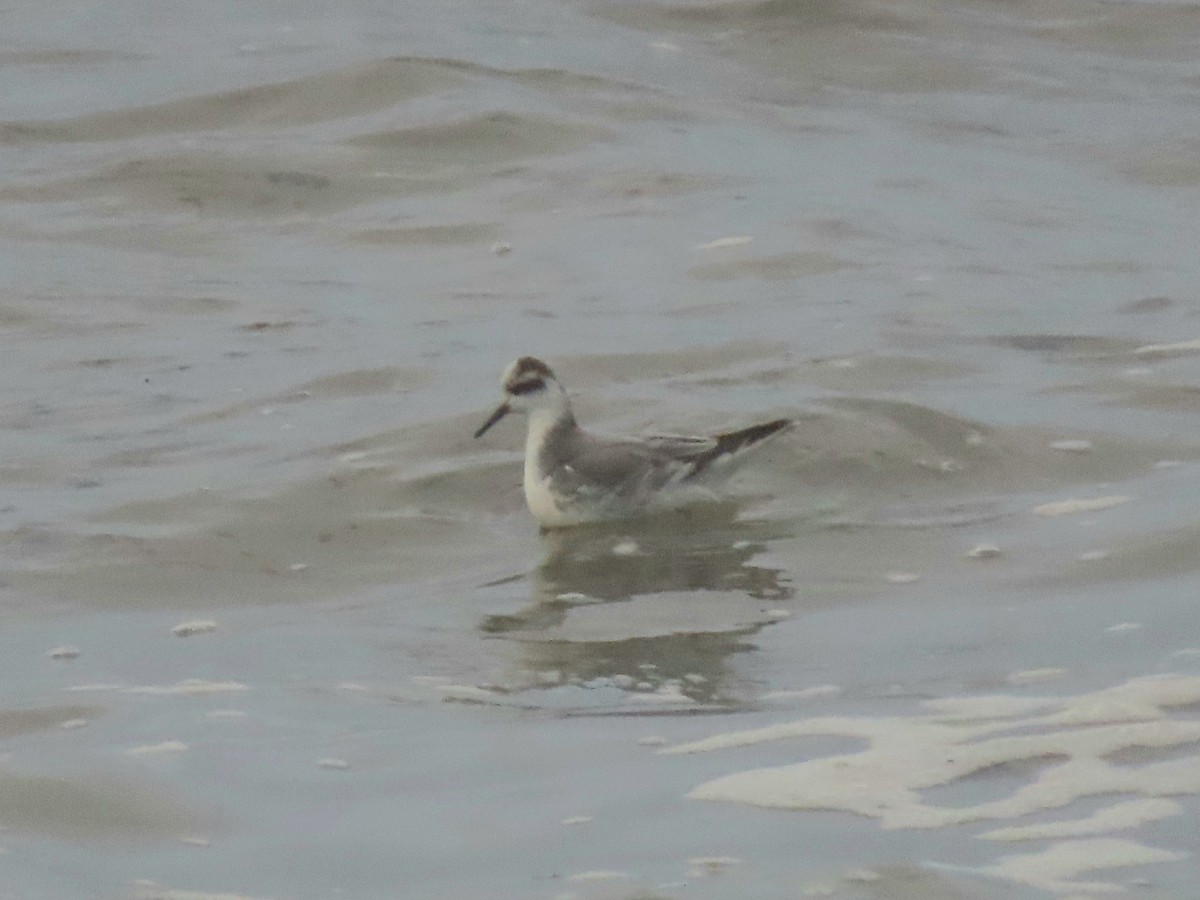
655	607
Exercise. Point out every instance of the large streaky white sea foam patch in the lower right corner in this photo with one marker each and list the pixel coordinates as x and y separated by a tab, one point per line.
1073	743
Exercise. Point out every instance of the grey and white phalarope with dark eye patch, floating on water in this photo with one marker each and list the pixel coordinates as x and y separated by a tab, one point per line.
573	477
